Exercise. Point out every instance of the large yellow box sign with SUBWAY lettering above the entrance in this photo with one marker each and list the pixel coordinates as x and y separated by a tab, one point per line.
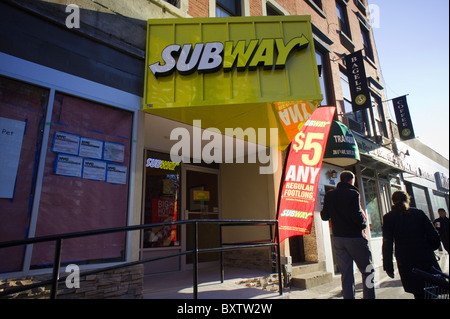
228	72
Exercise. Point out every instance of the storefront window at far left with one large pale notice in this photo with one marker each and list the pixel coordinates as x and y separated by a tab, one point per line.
22	114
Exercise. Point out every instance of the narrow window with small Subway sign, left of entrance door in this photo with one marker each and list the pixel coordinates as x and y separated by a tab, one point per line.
162	200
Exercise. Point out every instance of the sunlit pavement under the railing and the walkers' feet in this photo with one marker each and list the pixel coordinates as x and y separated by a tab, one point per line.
178	285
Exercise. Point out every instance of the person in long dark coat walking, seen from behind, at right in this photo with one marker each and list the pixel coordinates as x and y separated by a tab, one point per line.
415	240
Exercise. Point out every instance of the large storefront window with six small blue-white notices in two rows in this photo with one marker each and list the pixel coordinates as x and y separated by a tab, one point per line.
86	181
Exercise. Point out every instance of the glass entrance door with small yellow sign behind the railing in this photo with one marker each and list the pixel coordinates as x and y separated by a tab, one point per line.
201	201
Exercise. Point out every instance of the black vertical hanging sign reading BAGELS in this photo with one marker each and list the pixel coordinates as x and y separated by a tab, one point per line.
357	80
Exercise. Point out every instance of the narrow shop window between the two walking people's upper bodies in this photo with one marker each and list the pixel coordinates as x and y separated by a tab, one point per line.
373	211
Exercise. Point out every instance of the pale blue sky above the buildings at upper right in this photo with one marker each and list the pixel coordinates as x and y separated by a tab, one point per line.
412	41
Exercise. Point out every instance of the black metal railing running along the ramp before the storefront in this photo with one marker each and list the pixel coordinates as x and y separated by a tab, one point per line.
273	242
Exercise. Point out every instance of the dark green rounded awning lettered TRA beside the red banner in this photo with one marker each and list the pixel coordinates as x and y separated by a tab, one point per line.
342	149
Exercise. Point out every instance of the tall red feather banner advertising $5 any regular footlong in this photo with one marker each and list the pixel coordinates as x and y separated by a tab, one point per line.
302	173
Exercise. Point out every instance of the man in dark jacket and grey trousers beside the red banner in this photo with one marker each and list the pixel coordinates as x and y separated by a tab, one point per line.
342	207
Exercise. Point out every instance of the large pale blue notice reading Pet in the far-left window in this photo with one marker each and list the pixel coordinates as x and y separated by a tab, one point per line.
11	136
